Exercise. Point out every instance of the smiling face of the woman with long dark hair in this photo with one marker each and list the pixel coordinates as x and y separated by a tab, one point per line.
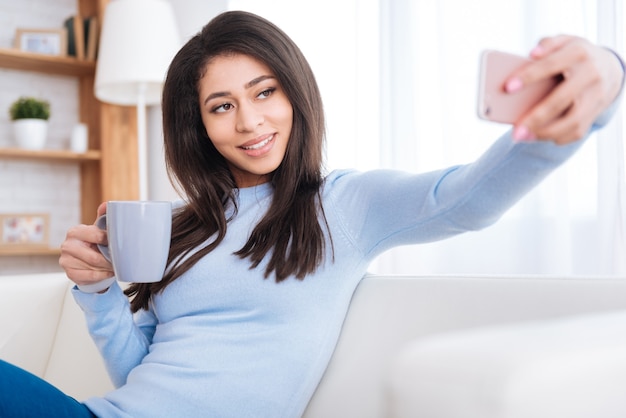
246	115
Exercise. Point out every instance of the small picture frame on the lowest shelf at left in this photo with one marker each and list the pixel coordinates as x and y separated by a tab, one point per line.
24	230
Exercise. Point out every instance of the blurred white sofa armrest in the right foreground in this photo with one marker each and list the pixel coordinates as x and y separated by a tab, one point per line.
570	367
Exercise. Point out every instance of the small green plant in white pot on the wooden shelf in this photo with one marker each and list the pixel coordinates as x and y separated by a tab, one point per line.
30	122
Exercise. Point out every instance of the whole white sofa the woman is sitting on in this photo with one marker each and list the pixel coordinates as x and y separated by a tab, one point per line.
433	347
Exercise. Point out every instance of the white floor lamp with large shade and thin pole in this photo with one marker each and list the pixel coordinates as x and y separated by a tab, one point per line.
138	40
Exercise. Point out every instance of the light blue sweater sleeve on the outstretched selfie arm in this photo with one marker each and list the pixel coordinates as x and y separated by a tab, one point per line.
381	209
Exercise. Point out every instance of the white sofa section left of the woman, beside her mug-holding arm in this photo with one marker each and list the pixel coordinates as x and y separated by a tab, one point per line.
44	331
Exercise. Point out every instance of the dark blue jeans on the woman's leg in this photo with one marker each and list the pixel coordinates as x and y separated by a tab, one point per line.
24	395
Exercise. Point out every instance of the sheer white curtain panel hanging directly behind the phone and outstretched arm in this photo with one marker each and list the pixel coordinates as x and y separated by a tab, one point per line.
572	224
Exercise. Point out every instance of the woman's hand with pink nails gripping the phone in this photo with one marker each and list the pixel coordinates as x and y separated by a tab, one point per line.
591	79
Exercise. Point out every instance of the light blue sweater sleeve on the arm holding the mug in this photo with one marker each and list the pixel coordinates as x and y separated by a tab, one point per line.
121	338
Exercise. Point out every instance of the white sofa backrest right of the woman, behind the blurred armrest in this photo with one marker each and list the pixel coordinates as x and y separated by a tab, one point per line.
388	312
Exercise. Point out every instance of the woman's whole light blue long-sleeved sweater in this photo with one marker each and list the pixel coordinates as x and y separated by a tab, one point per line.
222	341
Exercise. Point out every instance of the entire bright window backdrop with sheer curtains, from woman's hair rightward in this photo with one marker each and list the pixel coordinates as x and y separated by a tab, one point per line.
399	80
